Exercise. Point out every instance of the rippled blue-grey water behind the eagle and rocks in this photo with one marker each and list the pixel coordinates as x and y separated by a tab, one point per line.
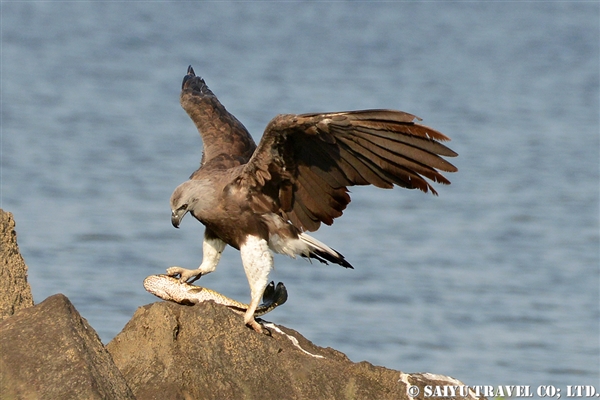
495	282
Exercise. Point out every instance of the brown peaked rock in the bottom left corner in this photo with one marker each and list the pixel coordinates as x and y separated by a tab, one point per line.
50	352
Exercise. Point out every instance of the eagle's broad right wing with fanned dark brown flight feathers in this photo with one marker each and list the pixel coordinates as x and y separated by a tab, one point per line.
304	163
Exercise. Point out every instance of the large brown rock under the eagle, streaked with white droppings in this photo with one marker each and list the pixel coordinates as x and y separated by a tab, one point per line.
171	351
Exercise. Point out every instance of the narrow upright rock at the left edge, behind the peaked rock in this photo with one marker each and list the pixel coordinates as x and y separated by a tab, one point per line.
15	292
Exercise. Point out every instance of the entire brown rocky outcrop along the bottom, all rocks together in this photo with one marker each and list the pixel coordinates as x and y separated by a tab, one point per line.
171	351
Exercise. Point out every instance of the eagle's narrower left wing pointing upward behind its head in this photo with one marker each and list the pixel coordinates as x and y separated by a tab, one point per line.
227	142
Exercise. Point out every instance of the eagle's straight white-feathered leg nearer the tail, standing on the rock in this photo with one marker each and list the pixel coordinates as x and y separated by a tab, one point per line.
258	262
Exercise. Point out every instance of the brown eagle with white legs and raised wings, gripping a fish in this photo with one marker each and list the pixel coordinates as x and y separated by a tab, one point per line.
263	199
